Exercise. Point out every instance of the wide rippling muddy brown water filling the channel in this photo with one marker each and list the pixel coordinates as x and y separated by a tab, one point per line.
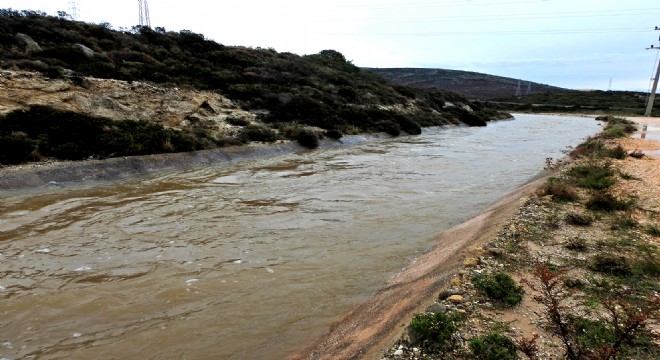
253	260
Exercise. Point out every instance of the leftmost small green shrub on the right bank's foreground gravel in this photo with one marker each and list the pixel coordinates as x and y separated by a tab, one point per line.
434	328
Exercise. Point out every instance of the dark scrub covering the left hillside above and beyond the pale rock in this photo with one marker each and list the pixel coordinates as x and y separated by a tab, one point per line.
323	90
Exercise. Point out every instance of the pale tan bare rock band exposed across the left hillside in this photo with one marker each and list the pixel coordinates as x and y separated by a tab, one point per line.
121	100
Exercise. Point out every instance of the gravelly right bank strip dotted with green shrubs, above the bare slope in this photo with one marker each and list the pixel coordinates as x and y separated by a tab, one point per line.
573	274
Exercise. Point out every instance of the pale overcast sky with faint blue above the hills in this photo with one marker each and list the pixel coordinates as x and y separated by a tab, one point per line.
577	44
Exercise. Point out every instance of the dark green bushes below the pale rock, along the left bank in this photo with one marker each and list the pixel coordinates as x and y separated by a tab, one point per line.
41	131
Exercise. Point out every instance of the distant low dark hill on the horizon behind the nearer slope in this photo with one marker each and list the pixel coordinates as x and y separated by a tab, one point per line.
472	85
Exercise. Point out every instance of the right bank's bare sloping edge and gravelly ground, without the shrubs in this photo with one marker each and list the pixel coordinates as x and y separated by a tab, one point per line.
525	228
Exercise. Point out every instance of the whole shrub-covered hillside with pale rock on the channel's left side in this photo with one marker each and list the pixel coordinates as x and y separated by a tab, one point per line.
191	92
